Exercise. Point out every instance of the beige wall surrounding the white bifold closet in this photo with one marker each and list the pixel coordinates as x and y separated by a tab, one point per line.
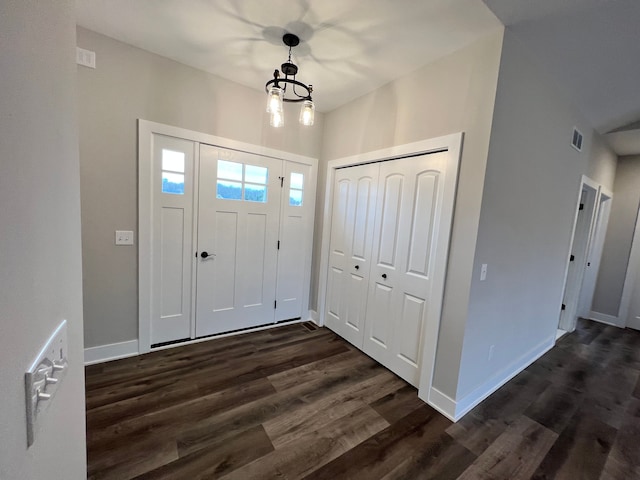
453	94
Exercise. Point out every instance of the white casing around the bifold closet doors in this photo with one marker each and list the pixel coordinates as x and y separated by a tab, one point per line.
451	143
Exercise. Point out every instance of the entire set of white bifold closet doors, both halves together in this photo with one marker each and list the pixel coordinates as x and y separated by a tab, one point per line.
385	314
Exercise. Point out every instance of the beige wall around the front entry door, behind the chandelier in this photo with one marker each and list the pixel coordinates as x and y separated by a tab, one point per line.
128	84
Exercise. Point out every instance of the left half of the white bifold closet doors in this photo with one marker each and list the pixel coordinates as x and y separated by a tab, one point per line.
354	197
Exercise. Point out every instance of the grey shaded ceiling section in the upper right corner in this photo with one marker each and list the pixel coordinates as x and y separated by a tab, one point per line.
592	48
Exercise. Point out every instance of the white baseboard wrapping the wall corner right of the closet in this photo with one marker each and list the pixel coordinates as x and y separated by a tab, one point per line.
456	409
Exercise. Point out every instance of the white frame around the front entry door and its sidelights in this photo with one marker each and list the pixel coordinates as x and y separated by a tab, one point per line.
146	130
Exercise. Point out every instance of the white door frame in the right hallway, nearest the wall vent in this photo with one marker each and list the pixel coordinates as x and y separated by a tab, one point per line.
573	287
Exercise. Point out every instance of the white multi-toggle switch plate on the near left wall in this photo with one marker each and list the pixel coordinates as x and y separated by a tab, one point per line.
43	378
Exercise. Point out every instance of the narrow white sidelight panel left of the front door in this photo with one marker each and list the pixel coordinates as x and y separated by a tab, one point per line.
172	190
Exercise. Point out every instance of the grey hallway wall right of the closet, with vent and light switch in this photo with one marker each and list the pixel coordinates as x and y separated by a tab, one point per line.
531	189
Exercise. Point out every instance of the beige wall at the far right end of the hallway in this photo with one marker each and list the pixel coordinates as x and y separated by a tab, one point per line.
617	246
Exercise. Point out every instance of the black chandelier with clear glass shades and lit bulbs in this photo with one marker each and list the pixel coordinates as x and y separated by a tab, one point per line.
297	91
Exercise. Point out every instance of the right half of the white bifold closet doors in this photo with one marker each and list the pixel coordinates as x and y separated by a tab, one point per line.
408	216
